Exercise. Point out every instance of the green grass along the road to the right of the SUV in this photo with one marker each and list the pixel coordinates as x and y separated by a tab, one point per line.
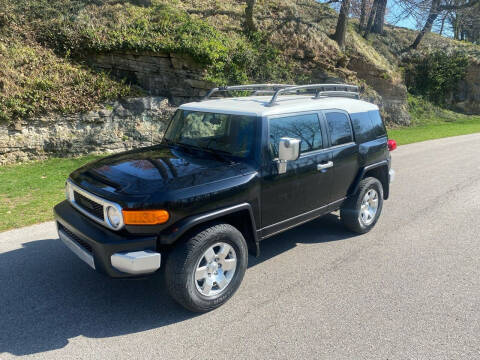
432	122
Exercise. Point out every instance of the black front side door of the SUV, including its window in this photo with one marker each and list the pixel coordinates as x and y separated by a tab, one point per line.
303	187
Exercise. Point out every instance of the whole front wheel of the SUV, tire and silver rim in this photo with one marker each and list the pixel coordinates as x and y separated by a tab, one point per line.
204	271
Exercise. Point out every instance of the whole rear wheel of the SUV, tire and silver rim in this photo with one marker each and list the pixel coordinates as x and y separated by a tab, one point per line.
360	212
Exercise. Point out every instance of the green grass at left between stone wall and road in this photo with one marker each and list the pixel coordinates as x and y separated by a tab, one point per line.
29	191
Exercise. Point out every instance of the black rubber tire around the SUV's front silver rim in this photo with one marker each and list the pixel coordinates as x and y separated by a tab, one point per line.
181	265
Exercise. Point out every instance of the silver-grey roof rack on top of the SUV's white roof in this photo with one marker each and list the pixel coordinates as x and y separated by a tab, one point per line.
319	90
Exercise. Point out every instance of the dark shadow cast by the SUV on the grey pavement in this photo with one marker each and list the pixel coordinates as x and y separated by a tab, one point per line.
48	296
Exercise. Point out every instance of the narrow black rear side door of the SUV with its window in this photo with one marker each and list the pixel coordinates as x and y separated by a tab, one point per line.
344	152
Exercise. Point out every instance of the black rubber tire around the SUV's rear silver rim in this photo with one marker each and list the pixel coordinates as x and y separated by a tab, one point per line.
350	210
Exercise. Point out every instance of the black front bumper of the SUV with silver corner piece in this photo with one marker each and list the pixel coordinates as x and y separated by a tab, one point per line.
115	254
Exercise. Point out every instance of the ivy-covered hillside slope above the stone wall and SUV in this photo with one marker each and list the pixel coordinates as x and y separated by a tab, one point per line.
42	43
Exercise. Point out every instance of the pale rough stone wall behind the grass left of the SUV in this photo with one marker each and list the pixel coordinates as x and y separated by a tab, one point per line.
116	126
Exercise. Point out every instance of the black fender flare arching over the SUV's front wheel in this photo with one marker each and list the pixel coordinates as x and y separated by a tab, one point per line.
240	216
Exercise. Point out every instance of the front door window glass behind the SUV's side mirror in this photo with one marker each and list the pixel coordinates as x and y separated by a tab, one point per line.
304	127
